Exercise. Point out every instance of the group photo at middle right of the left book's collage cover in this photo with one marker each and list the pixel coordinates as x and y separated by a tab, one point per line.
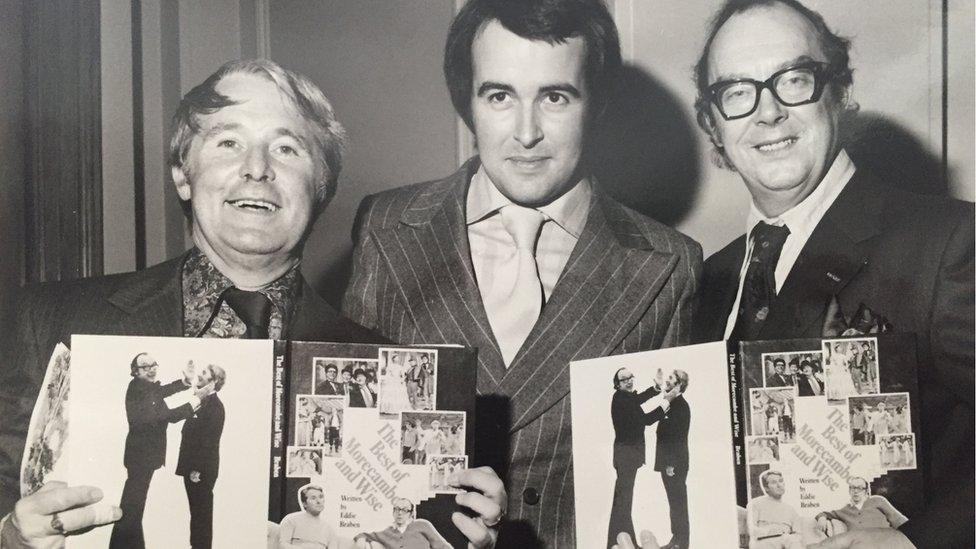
436	433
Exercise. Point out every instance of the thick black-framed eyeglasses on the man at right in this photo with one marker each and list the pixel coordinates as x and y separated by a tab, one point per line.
797	85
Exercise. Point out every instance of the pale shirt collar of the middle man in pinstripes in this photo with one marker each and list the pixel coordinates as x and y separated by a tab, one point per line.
569	211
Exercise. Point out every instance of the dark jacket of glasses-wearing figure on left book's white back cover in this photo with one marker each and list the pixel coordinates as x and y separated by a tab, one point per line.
148	416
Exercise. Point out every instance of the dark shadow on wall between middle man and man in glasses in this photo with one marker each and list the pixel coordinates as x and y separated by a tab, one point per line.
646	152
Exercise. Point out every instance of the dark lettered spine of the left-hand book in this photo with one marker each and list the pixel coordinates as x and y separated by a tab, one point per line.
279	432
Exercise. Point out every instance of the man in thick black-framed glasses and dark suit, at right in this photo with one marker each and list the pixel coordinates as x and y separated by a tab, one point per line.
825	238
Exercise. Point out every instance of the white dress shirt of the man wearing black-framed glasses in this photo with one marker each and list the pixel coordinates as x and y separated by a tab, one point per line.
801	220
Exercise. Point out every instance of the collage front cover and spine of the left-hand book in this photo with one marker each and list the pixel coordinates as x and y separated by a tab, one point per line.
364	443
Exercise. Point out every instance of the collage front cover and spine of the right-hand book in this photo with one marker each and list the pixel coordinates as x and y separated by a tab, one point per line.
827	440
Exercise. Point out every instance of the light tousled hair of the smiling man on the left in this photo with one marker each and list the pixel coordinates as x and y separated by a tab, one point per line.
328	136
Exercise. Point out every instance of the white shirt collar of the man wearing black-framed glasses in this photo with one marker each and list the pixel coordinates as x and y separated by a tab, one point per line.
803	218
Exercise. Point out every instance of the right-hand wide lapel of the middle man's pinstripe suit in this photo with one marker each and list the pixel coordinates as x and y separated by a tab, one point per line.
609	282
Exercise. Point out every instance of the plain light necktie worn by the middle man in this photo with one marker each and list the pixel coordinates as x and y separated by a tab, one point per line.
516	299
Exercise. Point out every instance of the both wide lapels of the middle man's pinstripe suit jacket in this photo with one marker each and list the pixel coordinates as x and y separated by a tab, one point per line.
608	283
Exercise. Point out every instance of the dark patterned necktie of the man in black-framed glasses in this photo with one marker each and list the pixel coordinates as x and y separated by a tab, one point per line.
759	286
